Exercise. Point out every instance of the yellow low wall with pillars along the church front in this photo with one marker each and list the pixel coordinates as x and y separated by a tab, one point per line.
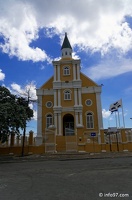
79	143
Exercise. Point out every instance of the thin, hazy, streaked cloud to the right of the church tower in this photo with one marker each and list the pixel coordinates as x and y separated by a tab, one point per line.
109	68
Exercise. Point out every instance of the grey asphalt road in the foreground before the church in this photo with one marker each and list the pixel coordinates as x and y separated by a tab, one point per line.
66	179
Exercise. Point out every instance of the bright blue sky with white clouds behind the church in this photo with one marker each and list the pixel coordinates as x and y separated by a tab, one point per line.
100	32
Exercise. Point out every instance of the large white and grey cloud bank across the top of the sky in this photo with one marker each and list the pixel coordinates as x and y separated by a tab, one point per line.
92	25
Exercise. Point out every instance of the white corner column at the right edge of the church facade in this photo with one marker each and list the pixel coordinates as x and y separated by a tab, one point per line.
99	110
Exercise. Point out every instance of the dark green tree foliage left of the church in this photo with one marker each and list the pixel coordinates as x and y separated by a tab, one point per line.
14	112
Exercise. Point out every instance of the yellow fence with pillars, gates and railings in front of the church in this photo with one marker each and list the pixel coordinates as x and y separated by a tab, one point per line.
80	142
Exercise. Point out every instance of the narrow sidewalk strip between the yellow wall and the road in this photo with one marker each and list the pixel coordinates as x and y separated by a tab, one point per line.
63	156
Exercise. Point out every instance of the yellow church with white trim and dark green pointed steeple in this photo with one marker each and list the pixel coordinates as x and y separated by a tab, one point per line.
69	103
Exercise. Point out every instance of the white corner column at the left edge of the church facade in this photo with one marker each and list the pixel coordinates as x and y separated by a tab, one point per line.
39	116
